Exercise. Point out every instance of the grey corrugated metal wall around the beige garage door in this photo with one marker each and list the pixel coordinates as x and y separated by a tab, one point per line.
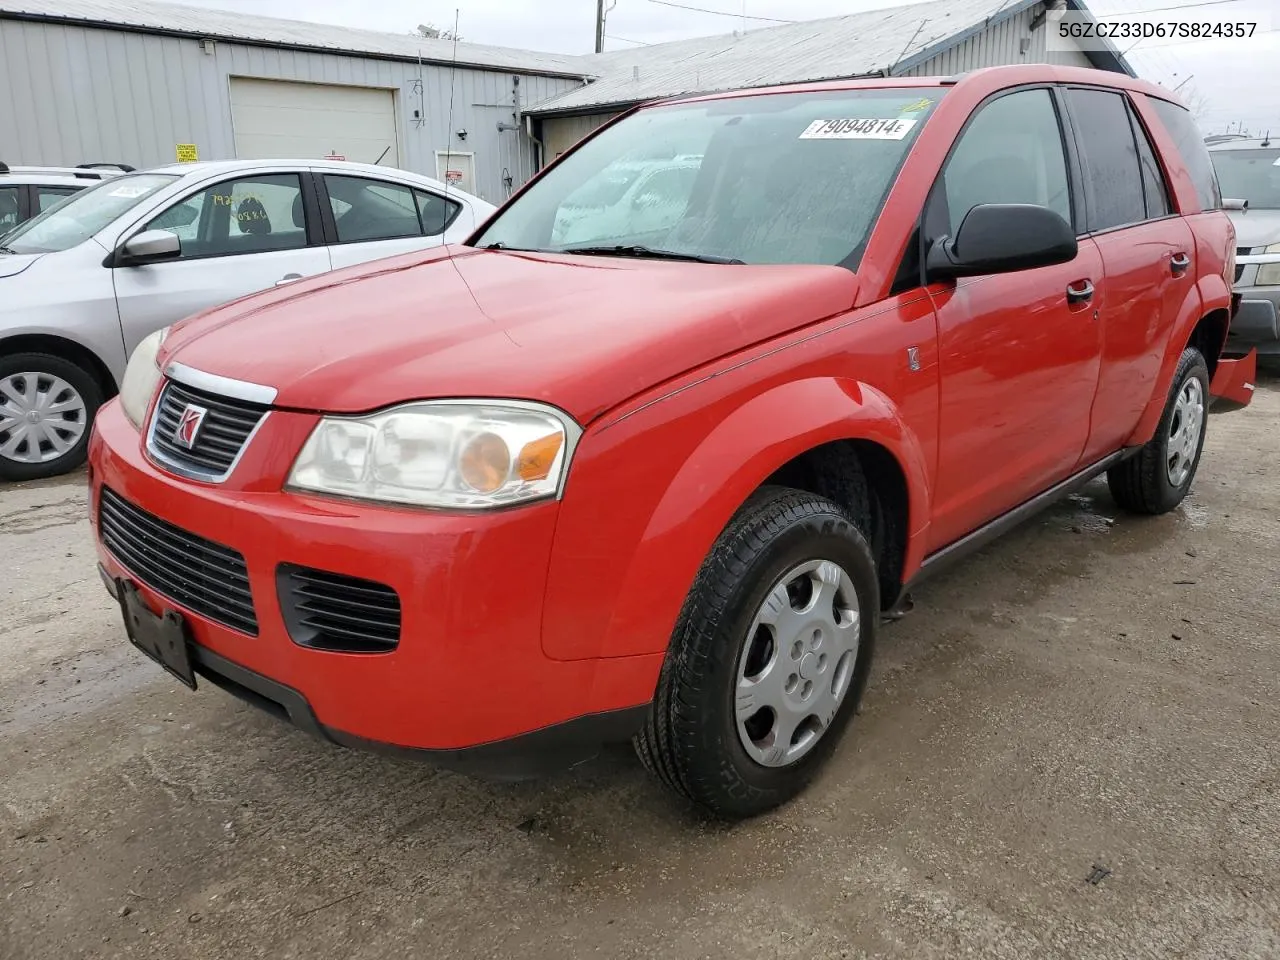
79	95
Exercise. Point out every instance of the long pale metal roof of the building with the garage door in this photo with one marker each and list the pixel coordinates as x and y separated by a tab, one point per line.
180	20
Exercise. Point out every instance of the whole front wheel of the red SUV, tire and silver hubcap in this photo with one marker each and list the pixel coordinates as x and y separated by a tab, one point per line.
769	660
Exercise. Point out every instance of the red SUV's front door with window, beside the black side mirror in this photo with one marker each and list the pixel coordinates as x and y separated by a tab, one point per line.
1020	353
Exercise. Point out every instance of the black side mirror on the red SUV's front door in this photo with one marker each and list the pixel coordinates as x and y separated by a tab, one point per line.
998	239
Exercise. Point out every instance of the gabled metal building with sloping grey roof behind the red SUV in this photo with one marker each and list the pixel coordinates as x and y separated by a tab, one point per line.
920	40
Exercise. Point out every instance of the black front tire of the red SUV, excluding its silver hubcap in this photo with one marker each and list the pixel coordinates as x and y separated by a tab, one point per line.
692	740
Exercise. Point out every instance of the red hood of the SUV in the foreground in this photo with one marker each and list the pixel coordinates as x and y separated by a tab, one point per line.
580	333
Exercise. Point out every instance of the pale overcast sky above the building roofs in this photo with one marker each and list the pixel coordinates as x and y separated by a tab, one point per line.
1236	81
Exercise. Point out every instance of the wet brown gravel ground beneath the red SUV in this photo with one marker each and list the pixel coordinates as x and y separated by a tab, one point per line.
1071	749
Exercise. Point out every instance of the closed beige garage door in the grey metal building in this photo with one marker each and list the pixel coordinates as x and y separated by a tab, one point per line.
276	121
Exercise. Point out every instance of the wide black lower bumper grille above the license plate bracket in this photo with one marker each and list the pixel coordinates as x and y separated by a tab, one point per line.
200	575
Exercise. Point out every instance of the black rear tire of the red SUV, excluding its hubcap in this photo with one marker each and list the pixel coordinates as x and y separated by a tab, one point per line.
1142	483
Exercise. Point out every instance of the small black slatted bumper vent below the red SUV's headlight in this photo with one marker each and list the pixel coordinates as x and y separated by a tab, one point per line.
337	612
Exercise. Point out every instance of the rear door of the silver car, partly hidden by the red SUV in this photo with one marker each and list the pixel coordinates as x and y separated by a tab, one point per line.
369	218
